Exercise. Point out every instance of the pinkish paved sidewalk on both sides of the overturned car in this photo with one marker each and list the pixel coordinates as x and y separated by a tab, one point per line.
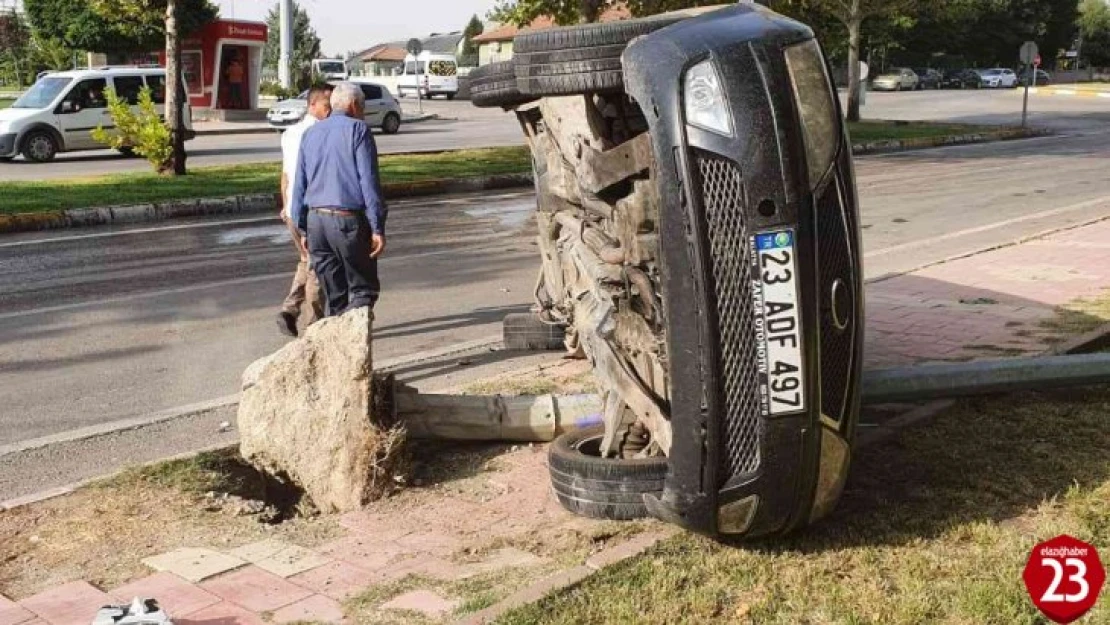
988	306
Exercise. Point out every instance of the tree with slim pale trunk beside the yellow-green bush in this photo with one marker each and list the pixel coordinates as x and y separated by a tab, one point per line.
142	19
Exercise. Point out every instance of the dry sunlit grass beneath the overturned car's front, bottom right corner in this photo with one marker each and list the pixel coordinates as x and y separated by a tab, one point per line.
936	527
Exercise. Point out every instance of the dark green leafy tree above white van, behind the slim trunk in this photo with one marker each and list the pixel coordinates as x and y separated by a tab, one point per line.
94	26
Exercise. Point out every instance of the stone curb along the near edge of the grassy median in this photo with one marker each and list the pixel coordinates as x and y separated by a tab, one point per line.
237	205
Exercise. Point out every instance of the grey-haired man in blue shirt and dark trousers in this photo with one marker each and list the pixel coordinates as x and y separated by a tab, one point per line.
337	200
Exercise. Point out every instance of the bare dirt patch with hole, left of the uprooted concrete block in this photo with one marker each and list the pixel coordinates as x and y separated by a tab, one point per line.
103	533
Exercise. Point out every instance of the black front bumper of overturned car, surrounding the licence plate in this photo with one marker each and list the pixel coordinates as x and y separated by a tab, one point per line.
733	470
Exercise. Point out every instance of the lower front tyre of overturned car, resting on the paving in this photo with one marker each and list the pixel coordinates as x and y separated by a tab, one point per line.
599	488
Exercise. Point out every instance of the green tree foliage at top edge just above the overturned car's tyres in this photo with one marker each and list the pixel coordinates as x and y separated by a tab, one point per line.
521	13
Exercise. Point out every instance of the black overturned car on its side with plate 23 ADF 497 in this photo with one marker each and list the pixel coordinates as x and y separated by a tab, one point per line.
698	218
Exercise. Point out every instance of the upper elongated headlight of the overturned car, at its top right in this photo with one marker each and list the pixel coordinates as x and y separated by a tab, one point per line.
813	92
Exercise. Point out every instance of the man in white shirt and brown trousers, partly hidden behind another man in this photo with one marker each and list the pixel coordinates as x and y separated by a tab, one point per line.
306	286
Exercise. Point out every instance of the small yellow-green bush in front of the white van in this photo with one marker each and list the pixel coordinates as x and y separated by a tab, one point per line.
143	132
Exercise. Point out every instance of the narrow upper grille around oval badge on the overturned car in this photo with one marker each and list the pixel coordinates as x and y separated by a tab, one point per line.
836	264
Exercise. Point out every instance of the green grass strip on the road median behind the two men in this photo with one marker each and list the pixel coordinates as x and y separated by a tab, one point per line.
32	197
